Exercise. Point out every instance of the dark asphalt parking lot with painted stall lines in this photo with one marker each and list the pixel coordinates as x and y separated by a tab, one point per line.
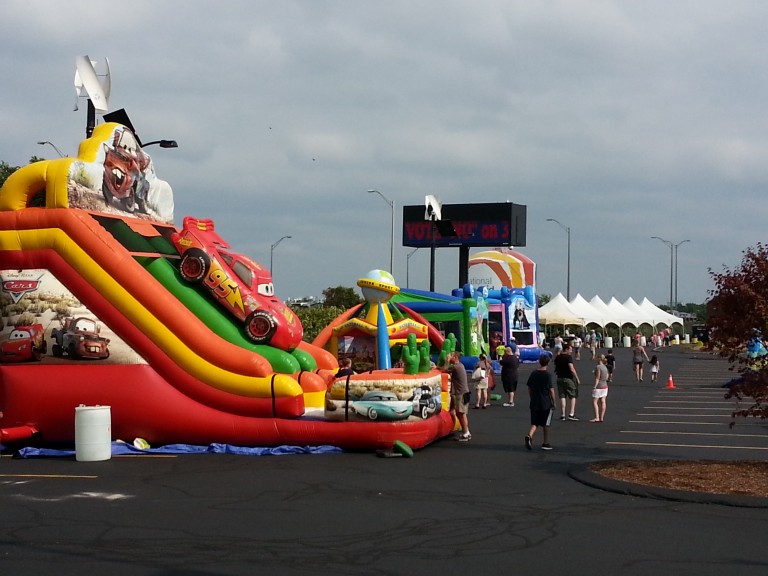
454	508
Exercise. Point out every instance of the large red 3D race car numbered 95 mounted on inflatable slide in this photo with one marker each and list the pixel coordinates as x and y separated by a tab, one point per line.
241	285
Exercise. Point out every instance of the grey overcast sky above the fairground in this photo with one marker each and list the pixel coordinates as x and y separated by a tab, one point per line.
621	119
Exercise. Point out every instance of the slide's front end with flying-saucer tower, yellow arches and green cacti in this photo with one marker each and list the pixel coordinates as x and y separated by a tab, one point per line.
368	335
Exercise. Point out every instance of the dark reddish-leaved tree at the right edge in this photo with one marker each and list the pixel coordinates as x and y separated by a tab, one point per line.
738	314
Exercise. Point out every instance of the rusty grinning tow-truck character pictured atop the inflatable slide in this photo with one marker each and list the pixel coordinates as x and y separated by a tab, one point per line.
125	165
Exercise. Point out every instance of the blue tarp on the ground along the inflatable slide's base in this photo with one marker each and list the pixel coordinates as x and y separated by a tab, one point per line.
123	448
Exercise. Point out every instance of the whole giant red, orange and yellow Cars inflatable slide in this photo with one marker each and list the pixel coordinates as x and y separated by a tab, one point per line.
106	302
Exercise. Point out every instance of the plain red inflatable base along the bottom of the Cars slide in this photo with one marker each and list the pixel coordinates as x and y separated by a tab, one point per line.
144	405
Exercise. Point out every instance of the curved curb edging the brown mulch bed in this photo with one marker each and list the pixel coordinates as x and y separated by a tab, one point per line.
585	475
